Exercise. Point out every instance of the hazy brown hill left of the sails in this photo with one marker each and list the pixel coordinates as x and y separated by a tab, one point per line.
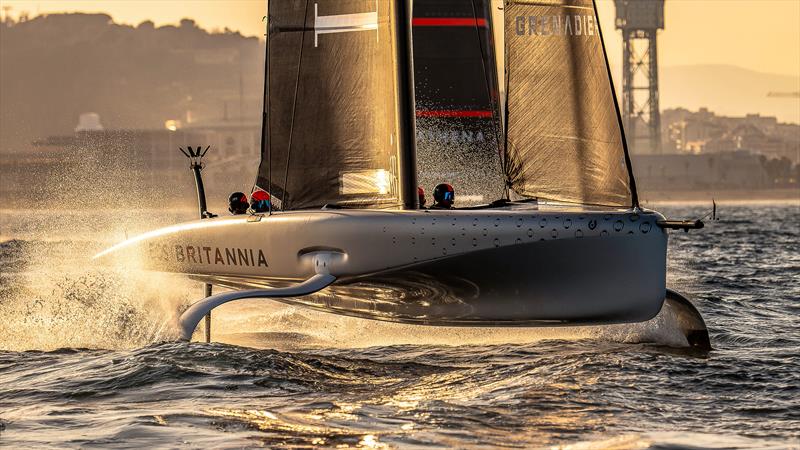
55	67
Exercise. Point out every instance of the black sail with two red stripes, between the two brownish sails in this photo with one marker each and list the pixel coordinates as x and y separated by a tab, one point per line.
455	75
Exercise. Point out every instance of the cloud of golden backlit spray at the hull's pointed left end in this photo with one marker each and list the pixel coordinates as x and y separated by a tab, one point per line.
53	297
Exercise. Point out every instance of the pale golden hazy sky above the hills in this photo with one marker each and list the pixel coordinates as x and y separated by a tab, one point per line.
761	35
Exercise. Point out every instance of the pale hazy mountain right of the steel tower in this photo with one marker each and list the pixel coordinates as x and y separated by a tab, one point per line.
729	90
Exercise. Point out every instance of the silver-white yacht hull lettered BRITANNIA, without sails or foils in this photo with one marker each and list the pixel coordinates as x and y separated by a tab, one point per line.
509	266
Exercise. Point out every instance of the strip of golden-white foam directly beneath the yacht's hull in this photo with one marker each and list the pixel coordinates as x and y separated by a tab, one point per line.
272	323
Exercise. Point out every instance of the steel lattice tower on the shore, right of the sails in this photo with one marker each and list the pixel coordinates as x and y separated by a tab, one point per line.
639	20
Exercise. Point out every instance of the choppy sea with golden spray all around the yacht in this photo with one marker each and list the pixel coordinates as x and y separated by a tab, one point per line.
87	357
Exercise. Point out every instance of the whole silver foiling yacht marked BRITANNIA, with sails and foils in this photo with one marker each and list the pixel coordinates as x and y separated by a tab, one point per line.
560	240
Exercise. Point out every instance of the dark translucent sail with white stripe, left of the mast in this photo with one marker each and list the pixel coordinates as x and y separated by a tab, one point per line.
332	96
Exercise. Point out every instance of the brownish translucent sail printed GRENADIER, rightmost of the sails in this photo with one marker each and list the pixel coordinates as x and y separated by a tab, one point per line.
564	141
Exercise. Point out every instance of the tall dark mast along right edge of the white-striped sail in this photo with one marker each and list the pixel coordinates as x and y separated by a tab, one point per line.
406	133
